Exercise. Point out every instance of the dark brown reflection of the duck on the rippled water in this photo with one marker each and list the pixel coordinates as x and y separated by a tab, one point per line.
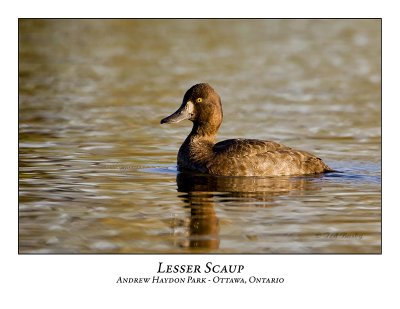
202	193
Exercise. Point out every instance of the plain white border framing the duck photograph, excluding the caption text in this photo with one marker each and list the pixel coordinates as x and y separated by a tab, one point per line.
364	281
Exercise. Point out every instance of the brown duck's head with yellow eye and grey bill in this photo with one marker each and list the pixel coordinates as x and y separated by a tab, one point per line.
201	105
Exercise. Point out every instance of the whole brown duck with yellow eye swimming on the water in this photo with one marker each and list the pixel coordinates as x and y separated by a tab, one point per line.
233	157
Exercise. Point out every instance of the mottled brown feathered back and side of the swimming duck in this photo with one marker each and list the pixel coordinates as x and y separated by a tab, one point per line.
250	157
